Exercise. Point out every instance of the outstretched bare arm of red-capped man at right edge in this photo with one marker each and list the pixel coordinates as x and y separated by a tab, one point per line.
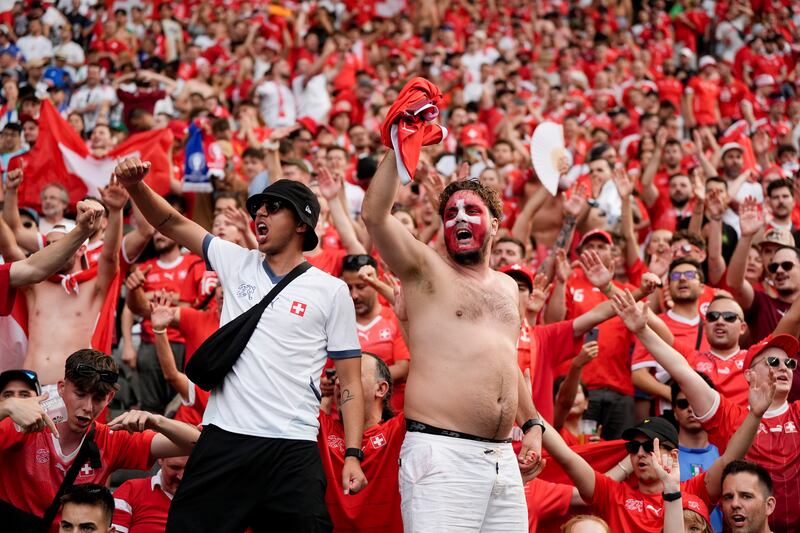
699	394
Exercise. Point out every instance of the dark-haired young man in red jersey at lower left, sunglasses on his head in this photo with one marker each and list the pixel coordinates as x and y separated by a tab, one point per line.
35	458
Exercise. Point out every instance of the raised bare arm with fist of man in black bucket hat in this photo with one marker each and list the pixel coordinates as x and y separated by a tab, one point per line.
156	209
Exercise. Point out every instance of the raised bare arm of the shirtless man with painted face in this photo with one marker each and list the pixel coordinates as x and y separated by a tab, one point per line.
404	254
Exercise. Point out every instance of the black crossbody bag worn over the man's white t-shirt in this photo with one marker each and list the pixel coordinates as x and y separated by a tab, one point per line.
216	356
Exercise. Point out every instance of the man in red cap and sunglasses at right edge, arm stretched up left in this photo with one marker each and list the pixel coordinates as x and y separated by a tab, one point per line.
777	445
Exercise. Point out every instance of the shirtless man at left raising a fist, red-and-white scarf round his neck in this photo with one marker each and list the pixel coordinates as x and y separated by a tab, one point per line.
63	311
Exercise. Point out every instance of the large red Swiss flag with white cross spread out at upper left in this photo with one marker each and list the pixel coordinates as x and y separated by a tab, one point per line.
61	156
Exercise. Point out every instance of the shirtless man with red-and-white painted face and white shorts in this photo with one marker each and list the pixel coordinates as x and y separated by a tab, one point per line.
465	390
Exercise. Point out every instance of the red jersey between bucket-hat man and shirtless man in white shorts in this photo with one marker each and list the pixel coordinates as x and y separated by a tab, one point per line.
377	507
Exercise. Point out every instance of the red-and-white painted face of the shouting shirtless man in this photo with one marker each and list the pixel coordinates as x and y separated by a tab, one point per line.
465	227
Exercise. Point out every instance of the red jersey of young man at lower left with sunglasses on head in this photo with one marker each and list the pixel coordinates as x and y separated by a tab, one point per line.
33	465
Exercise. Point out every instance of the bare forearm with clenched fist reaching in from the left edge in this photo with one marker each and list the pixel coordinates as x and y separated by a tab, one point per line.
46	262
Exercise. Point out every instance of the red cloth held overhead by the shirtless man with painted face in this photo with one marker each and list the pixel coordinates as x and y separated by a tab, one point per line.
409	125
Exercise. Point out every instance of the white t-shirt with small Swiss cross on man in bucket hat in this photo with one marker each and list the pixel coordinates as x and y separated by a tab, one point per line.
273	389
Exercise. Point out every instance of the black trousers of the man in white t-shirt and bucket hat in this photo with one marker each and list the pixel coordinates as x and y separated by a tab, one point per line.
237	481
